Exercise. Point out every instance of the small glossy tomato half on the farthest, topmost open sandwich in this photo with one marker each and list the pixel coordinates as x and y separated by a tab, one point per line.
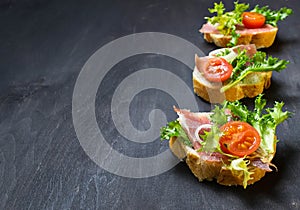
253	19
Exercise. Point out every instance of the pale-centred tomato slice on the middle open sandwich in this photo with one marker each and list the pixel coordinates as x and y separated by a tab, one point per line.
217	70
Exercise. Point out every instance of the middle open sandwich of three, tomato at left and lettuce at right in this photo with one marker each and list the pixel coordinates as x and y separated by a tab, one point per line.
234	73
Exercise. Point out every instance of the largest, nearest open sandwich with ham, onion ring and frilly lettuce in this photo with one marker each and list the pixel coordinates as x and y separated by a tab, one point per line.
231	144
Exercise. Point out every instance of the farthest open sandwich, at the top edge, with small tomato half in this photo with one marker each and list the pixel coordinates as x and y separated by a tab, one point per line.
258	26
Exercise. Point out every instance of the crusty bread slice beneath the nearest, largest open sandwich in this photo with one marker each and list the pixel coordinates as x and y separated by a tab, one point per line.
205	169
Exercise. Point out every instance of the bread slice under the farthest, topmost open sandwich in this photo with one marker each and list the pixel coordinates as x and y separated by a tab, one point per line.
261	40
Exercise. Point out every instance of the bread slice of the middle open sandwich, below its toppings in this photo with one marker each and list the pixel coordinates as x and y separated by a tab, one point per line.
211	92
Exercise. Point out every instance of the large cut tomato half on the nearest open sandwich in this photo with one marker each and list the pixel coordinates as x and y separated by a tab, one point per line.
239	138
